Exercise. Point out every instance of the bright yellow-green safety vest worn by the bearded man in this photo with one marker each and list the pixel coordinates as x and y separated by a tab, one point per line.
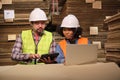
29	44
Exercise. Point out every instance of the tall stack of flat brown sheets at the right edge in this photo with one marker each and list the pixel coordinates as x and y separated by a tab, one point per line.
112	46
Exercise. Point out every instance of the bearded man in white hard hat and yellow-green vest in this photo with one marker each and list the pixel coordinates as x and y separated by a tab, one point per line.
31	44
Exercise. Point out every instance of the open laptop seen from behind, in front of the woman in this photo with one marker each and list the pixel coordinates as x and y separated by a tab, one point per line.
81	54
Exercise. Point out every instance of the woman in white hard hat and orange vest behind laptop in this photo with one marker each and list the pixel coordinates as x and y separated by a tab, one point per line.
71	30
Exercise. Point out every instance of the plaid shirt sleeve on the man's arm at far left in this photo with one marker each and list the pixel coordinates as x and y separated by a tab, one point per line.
17	51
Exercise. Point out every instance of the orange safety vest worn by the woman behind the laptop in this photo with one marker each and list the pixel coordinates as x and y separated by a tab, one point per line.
63	44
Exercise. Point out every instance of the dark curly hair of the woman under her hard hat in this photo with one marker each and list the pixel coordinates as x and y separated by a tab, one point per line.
78	31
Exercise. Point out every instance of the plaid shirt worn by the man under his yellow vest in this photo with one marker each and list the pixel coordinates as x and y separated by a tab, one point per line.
17	49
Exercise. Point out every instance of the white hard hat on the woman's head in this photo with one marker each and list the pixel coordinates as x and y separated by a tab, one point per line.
70	21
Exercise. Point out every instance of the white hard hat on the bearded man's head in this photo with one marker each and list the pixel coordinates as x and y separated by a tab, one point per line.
37	15
